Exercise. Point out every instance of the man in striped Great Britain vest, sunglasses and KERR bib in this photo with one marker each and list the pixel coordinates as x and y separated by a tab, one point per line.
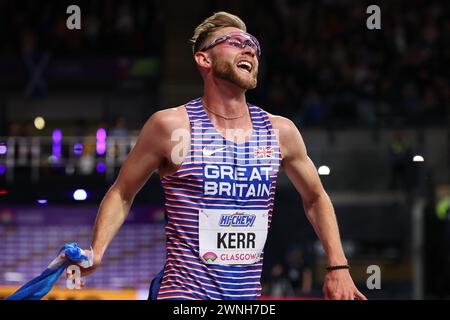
219	181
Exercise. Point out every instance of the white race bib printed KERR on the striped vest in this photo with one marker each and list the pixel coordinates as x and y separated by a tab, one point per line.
230	237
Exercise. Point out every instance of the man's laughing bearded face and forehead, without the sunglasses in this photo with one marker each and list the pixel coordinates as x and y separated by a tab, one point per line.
233	63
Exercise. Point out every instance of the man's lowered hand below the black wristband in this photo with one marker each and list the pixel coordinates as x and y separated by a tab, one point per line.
338	285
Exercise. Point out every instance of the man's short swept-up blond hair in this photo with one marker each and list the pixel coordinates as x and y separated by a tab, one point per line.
213	23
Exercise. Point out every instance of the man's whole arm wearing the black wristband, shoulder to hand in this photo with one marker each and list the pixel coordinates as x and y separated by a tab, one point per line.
338	284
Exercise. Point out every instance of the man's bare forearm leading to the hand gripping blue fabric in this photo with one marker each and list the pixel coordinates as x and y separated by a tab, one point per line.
112	213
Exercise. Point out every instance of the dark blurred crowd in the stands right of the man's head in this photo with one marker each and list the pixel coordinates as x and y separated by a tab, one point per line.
322	66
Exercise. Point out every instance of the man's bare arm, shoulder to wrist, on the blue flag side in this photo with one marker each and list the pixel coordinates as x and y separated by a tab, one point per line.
151	151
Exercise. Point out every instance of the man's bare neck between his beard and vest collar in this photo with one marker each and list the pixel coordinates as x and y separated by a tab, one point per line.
224	98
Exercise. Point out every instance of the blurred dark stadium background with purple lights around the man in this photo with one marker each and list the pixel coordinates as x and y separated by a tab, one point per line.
373	108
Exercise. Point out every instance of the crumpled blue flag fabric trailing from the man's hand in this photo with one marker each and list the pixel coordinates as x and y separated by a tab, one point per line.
42	284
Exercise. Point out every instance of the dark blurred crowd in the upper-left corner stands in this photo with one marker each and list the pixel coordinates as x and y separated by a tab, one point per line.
108	27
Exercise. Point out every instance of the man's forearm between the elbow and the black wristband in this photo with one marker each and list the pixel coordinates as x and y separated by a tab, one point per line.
321	215
